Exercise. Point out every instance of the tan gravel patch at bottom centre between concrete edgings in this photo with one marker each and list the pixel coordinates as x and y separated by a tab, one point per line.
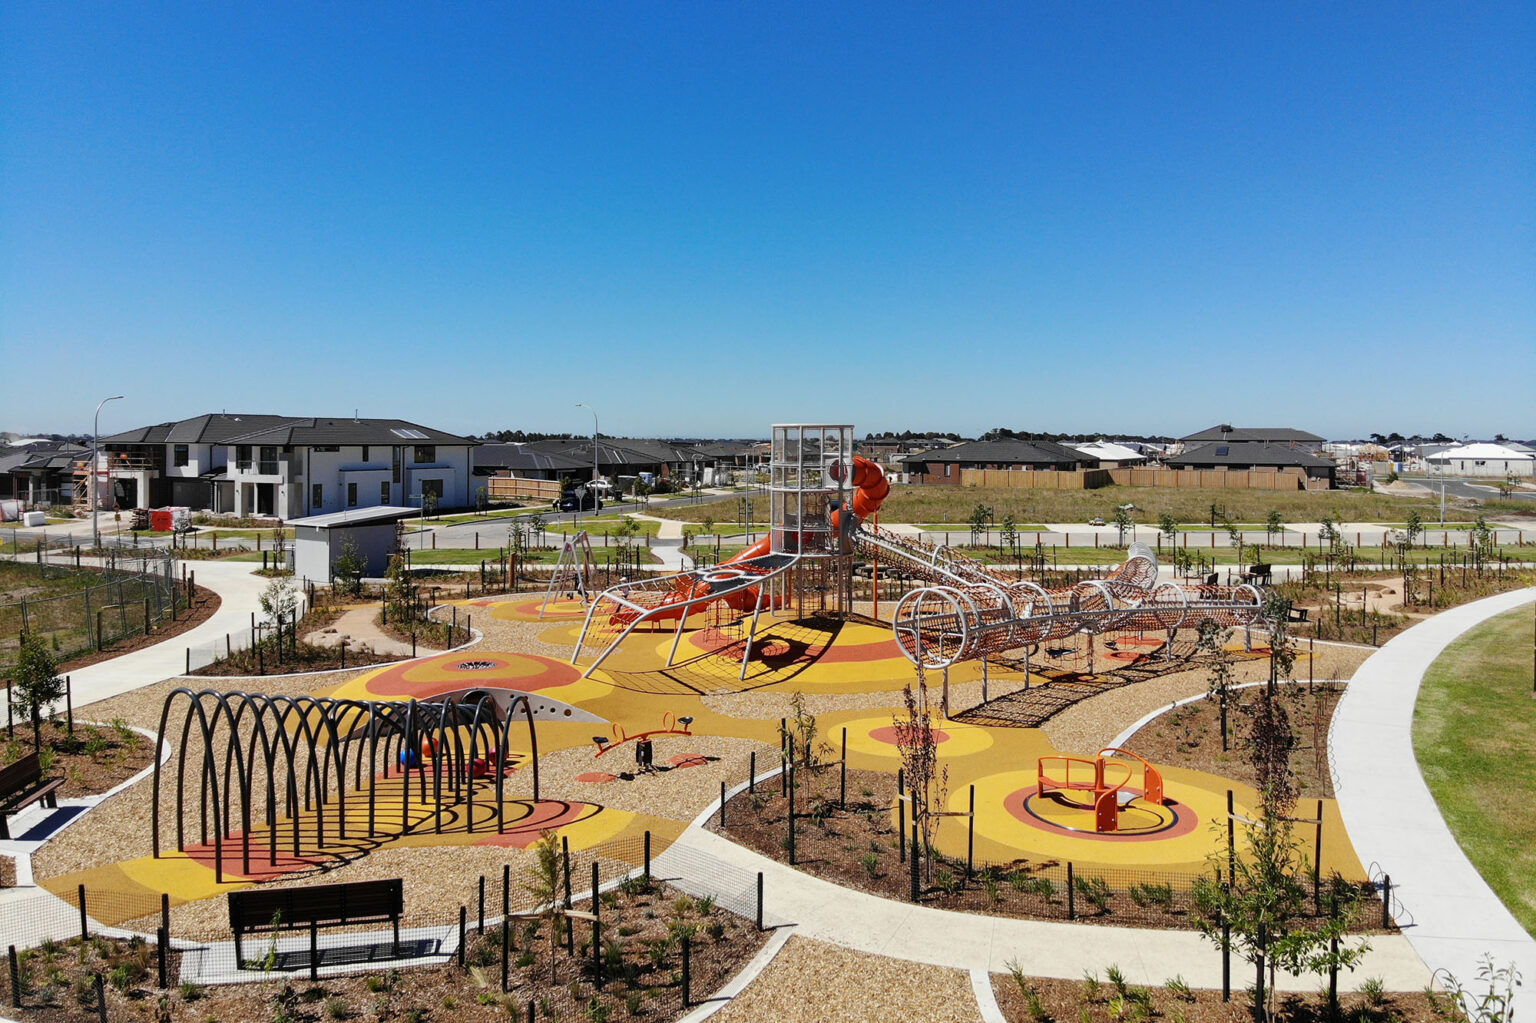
815	982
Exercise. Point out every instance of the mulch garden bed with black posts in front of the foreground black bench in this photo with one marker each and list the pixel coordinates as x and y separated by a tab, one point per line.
643	932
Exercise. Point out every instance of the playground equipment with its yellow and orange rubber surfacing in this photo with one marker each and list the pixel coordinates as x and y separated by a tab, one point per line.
675	687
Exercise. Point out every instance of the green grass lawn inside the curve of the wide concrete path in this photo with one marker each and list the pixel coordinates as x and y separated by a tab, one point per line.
1475	740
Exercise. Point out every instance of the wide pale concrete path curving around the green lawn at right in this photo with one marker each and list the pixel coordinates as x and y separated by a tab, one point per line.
1392	818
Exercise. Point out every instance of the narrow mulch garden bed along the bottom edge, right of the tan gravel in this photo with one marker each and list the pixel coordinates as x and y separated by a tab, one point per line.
1096	999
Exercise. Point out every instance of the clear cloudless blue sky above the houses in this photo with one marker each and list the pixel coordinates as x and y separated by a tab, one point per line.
704	219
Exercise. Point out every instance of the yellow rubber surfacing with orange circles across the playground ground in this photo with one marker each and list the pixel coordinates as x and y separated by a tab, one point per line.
635	690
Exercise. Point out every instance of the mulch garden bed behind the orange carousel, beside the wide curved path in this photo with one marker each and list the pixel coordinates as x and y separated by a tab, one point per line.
1190	737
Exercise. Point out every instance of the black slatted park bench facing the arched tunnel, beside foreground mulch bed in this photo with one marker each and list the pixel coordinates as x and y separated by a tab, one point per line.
316	907
